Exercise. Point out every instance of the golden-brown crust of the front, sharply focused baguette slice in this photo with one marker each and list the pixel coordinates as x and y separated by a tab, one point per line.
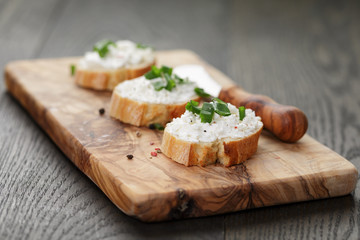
227	152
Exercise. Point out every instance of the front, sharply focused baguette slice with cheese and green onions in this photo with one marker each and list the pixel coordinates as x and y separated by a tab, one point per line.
217	132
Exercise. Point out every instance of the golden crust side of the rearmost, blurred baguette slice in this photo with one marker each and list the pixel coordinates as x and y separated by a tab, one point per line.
104	79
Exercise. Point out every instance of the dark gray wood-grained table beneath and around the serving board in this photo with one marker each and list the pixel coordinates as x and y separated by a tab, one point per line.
303	53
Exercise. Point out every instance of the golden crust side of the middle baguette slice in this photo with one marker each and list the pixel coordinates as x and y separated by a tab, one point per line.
142	113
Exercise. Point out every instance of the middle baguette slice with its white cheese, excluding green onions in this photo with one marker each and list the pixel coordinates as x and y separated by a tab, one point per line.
137	102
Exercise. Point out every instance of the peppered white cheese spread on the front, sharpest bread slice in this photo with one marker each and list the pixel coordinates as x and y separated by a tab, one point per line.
189	127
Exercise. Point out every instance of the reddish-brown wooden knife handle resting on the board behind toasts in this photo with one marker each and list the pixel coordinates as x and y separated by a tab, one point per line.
288	123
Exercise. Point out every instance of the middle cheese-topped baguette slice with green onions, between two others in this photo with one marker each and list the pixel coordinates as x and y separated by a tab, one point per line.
155	98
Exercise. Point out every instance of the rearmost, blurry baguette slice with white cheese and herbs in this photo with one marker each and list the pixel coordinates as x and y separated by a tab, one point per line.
113	62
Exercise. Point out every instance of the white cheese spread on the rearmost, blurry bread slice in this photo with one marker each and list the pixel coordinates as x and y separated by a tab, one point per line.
124	54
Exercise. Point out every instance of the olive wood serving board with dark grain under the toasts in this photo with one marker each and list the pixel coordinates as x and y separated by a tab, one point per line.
156	188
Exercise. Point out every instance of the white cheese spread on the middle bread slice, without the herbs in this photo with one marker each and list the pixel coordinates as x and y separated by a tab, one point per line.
142	90
